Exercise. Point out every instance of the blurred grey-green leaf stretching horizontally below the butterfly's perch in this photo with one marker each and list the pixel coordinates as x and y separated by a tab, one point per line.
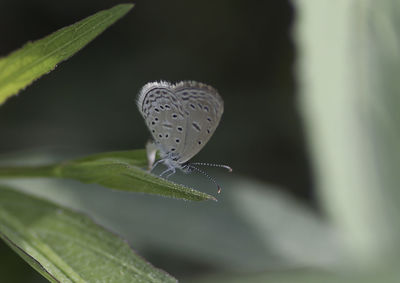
274	230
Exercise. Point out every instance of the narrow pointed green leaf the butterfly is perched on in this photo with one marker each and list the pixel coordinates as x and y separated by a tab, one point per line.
123	170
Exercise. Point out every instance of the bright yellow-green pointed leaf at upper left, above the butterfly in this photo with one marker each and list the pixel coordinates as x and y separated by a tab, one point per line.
22	67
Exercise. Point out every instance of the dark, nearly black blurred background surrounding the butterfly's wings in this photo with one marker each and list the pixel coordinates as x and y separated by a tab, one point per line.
87	104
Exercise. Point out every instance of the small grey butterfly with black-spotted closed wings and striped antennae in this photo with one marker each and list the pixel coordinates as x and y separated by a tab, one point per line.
181	118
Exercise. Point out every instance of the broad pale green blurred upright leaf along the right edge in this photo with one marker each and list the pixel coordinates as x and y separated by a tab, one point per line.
348	72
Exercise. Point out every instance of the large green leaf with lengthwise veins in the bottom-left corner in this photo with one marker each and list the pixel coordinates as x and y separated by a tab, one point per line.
66	246
